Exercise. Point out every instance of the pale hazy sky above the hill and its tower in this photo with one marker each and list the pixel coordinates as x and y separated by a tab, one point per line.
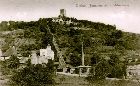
122	13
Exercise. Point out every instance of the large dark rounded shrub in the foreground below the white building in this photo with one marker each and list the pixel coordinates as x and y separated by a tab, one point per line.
34	75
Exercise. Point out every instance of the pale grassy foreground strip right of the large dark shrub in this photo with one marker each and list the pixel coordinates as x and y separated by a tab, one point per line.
63	80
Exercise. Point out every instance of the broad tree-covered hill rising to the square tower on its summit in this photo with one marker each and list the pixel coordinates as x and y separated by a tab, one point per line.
98	38
